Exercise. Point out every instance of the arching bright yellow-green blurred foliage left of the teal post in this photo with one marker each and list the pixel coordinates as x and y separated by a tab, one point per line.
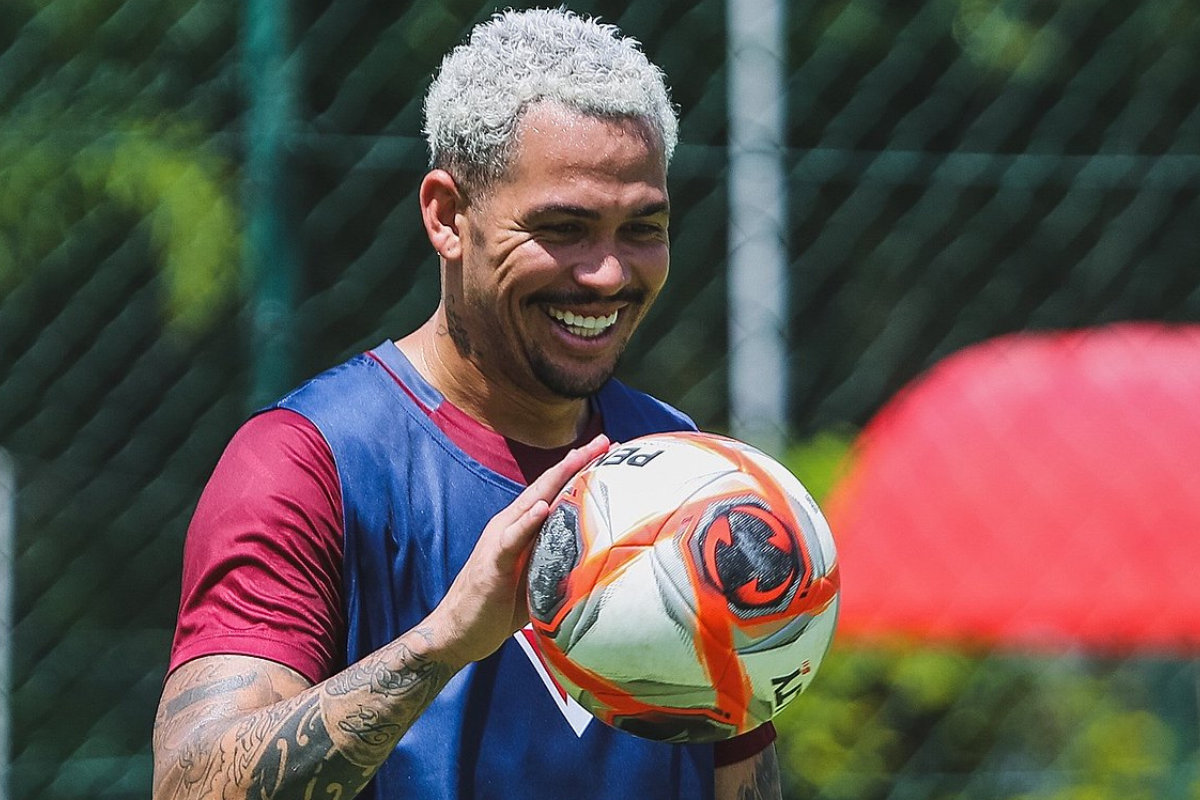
160	181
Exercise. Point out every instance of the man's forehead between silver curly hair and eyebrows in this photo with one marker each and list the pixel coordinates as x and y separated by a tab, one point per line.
556	146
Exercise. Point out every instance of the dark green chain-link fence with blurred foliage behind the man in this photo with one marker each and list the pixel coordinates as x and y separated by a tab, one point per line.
957	170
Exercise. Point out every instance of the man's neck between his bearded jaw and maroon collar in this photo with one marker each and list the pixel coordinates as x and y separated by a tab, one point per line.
542	422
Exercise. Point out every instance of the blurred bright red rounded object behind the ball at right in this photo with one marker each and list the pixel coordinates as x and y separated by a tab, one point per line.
1040	490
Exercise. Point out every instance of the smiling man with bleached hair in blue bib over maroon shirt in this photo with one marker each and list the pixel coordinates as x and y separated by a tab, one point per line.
381	515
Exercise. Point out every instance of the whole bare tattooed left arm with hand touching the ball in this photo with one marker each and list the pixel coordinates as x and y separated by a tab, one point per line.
238	727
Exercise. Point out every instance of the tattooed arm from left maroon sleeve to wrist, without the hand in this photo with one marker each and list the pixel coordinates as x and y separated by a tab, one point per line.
230	736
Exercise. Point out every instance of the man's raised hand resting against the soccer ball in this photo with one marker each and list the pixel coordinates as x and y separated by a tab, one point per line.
487	603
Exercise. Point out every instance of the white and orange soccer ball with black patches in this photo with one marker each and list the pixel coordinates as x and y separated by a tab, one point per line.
685	587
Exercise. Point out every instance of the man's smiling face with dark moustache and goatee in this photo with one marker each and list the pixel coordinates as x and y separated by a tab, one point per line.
563	257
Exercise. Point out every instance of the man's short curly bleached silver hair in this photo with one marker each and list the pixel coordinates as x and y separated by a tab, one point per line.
519	59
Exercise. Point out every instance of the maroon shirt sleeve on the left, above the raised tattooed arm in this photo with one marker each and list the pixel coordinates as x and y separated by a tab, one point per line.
263	556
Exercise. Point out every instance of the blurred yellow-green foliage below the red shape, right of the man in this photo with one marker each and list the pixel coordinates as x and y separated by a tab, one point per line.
914	720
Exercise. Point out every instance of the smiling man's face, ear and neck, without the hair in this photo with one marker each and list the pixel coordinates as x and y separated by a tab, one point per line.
547	273
